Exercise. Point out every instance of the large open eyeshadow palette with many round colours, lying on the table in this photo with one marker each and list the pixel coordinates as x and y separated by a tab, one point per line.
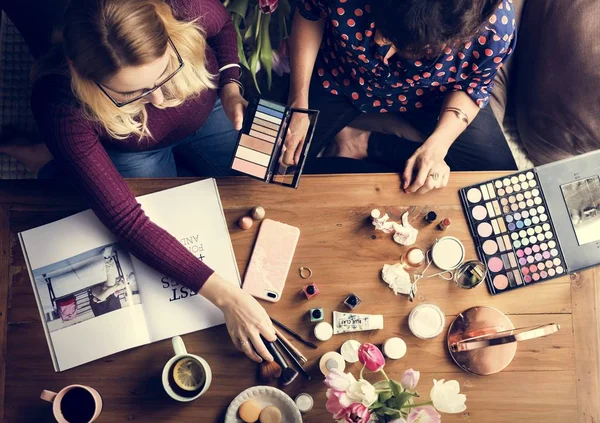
537	224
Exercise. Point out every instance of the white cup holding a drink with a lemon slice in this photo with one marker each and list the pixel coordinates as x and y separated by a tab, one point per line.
186	376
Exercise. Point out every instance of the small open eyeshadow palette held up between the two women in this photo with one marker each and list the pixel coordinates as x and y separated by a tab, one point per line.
261	143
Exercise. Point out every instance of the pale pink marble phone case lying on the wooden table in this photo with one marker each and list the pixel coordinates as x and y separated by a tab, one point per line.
271	260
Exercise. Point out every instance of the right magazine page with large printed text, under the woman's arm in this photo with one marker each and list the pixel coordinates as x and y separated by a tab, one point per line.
193	214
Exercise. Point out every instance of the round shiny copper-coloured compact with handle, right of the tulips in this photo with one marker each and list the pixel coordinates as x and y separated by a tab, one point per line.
483	340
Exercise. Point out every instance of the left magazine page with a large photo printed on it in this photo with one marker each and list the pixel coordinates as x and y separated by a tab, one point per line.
85	287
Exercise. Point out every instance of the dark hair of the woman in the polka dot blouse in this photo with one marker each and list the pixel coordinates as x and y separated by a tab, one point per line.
424	27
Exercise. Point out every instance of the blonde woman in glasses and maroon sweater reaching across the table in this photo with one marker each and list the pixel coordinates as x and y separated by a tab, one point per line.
139	82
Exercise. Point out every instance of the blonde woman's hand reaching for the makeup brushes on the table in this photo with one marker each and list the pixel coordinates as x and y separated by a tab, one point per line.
245	318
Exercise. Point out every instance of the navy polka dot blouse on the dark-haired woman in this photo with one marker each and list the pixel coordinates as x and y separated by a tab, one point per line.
350	63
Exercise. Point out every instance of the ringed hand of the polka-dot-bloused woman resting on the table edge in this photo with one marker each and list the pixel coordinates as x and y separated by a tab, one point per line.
426	169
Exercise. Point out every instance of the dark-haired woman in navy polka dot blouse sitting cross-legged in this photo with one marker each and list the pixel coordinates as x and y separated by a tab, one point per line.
403	82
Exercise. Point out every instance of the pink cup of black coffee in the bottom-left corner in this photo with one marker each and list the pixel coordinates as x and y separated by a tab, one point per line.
74	404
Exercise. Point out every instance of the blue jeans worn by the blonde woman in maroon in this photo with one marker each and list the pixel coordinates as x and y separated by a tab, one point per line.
208	152
